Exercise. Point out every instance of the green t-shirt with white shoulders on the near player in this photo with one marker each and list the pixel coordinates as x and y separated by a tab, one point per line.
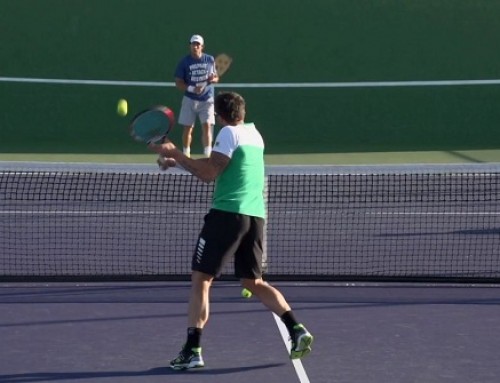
240	187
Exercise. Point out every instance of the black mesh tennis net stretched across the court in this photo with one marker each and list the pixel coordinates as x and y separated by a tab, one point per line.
133	222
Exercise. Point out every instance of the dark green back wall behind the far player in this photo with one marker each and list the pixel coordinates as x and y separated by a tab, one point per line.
273	41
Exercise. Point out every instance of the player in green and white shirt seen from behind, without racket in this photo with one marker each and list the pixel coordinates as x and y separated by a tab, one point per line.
234	226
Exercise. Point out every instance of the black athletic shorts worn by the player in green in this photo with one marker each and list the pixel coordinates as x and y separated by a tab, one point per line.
225	235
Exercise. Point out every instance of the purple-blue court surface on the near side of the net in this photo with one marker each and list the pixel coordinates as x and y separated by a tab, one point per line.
127	332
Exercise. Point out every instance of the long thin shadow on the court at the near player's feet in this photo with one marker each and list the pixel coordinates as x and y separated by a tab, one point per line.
159	371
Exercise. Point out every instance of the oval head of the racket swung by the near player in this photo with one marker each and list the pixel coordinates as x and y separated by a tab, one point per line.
153	124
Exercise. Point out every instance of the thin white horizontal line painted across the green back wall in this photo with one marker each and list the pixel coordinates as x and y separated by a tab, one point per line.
357	84
